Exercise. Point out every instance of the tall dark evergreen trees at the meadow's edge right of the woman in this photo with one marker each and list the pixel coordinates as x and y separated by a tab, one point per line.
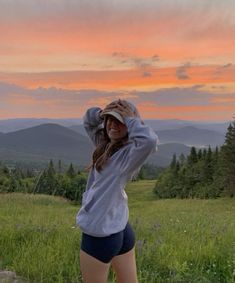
203	173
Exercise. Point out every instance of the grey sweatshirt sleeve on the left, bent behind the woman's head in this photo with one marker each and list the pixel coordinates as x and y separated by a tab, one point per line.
93	123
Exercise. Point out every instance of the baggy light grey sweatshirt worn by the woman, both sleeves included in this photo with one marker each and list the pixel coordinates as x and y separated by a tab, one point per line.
104	209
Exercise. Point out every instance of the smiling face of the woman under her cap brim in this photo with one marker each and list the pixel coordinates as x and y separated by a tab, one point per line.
115	129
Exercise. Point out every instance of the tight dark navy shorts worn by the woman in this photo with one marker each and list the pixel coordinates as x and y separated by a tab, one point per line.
105	248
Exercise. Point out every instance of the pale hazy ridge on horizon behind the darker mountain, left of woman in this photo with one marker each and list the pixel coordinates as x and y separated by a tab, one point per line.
11	125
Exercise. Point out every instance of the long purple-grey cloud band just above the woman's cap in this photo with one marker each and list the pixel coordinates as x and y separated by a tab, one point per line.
166	96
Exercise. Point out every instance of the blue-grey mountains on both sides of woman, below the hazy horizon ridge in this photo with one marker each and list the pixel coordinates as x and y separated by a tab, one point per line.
71	144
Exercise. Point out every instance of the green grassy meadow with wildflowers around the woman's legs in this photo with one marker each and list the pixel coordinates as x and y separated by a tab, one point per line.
177	240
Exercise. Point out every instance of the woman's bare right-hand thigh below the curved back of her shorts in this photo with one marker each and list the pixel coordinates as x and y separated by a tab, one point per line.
124	266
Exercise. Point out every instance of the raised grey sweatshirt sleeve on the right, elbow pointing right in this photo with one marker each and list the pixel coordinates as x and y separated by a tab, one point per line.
143	142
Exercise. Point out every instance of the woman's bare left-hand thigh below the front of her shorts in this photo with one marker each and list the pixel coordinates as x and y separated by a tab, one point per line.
93	270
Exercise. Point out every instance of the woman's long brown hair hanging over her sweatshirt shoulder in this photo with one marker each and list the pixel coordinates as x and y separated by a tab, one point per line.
105	148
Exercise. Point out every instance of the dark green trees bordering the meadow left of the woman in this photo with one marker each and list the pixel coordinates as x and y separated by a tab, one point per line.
52	181
